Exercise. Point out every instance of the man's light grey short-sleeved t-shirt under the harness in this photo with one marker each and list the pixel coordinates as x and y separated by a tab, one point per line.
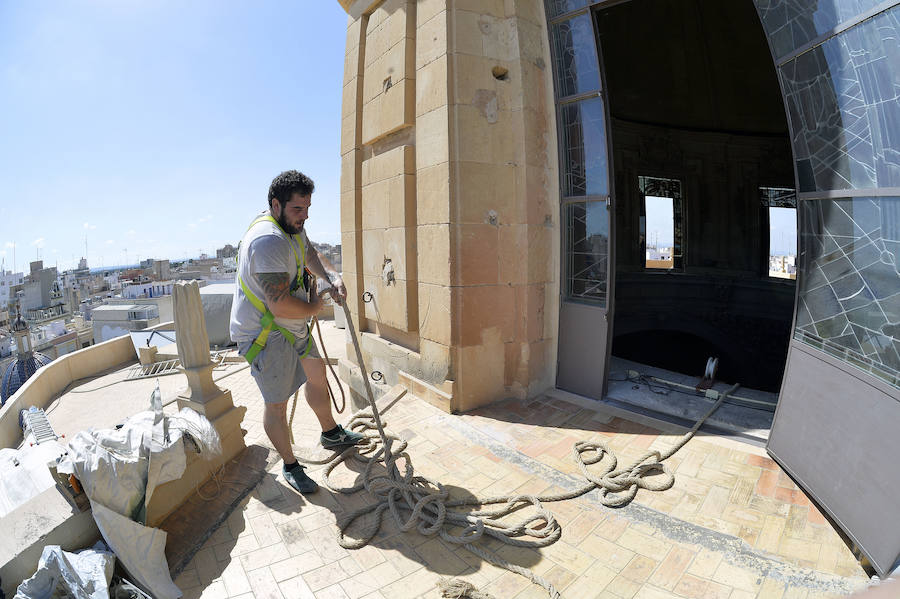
265	248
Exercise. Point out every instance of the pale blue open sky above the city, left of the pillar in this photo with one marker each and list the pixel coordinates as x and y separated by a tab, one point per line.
153	128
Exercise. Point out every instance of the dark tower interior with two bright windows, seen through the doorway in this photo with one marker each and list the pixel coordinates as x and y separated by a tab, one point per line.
705	226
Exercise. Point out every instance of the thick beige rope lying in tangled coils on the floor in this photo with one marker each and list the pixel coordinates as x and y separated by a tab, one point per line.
415	502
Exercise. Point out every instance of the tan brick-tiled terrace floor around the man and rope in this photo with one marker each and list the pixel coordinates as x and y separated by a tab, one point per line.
733	526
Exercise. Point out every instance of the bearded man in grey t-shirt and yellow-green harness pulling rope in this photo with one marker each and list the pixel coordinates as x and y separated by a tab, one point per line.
272	302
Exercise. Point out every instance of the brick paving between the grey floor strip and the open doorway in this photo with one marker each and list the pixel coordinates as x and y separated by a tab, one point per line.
724	485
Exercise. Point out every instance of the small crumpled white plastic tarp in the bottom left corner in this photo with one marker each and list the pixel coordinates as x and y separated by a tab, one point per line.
64	575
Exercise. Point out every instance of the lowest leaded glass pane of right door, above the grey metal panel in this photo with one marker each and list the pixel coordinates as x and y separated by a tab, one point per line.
850	282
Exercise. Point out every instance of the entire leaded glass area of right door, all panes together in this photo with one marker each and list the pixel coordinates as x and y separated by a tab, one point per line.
843	99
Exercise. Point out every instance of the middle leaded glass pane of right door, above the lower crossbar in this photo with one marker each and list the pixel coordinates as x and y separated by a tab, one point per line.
843	100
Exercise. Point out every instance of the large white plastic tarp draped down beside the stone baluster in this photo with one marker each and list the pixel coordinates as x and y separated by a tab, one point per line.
119	470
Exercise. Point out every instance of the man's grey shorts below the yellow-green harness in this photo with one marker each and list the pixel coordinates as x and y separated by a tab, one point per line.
277	369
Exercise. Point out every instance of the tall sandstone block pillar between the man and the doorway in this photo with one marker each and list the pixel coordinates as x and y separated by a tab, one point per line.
450	195
